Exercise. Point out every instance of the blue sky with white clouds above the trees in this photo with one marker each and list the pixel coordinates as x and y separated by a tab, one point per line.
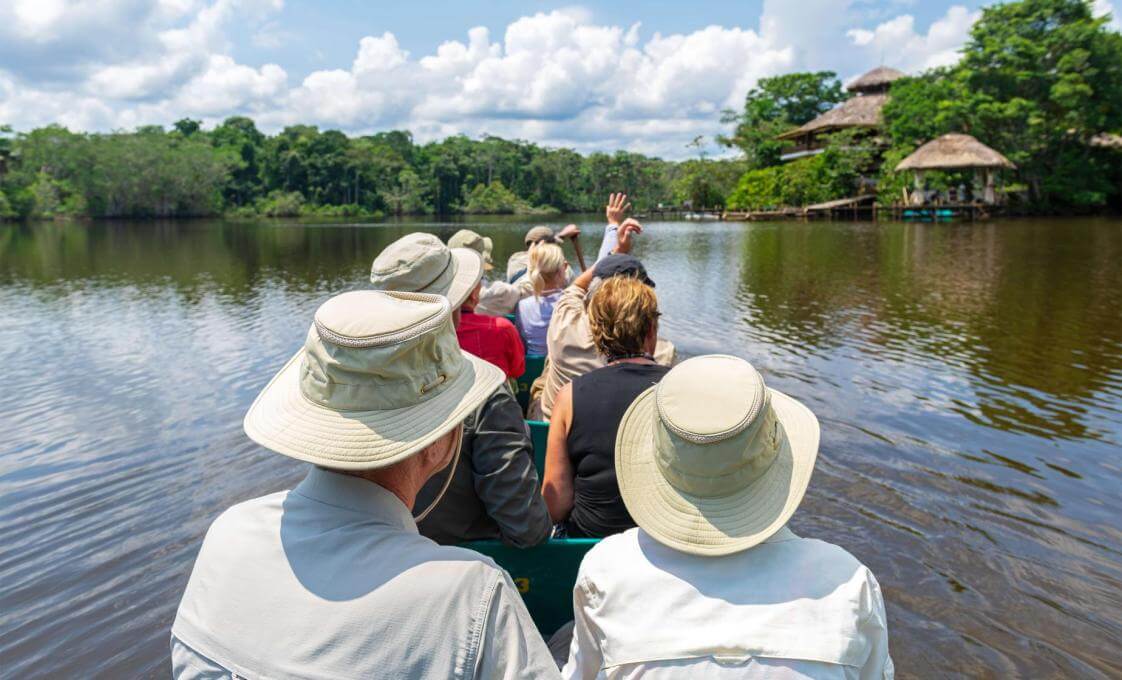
597	76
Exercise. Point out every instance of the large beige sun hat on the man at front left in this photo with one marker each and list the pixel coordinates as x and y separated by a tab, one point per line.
381	378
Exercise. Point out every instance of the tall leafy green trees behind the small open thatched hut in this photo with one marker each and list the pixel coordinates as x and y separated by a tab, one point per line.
1037	80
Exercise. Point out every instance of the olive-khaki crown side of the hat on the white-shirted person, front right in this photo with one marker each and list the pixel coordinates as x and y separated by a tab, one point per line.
722	467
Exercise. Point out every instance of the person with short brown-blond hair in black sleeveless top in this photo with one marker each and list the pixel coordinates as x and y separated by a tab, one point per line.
580	483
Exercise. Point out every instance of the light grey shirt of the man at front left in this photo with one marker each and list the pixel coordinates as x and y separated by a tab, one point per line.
333	581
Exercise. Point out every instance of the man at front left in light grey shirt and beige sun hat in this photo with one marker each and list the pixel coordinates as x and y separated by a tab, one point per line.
332	580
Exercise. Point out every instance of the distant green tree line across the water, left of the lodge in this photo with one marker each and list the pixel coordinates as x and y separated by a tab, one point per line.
235	169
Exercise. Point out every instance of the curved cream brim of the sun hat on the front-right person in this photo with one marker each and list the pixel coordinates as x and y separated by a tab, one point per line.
724	525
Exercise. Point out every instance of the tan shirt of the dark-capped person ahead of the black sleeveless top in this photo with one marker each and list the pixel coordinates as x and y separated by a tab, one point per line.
572	351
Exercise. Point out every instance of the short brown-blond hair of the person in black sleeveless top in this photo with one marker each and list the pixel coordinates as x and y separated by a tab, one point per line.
622	315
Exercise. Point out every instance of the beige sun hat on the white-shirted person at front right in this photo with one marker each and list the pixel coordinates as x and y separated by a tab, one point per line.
711	462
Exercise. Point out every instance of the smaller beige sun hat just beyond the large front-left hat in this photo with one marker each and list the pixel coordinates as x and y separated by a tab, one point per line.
420	263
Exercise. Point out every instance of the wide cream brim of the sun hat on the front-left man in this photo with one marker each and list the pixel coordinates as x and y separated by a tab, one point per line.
284	421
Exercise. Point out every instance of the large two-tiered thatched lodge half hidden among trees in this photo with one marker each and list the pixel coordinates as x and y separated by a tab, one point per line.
862	112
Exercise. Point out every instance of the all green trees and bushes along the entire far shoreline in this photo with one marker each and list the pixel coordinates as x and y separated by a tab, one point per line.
1041	81
